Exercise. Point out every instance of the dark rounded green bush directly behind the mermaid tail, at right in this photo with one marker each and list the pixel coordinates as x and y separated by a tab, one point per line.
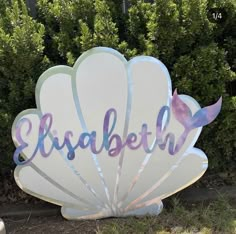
204	74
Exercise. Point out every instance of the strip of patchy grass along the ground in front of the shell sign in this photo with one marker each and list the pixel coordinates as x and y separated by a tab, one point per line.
214	217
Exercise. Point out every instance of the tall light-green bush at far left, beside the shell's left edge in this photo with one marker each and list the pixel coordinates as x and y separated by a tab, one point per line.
22	61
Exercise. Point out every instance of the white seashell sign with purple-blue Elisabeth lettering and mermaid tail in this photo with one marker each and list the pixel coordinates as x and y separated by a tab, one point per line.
108	138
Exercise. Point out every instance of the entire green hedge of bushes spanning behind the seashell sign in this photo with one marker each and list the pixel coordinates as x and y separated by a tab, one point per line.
199	54
